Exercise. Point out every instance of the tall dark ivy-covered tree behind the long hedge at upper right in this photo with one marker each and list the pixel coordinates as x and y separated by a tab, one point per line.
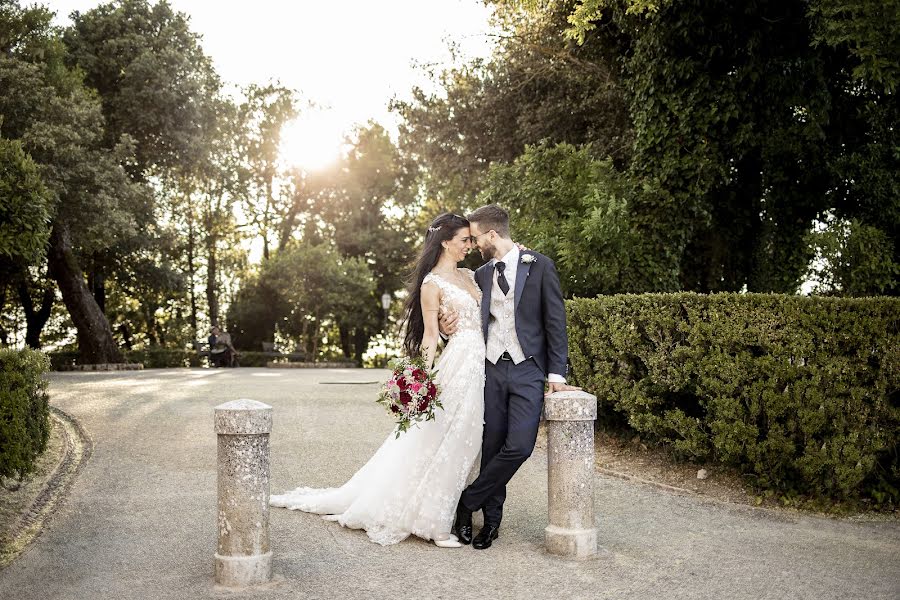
749	122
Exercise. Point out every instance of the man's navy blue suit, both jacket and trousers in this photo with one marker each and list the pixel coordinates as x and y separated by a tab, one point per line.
514	394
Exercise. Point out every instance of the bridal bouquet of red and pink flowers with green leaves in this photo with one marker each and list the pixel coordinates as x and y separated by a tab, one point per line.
410	394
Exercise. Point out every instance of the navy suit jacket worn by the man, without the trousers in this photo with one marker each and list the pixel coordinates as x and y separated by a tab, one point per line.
539	308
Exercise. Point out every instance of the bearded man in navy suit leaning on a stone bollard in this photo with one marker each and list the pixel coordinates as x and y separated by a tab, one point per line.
524	323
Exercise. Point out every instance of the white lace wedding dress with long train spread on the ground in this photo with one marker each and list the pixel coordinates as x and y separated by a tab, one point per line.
412	483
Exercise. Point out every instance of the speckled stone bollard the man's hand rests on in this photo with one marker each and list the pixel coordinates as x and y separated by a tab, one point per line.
570	420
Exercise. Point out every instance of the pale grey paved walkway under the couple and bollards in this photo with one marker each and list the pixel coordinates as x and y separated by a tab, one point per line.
140	520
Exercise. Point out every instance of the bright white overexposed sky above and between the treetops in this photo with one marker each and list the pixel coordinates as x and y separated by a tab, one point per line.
352	56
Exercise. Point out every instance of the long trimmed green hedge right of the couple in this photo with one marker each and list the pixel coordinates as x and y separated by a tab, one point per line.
801	394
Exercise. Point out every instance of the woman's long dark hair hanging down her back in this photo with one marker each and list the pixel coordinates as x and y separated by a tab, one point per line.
443	228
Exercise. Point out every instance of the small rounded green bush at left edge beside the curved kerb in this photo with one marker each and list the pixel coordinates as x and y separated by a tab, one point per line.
24	410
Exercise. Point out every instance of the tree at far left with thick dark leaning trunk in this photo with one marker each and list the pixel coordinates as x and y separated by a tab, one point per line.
60	125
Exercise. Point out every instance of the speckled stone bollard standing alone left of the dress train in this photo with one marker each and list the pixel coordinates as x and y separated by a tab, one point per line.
243	556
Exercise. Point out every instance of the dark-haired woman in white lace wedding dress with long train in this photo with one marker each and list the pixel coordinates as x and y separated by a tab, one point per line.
412	484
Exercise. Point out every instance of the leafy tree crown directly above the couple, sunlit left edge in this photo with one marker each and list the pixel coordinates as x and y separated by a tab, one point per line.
536	87
